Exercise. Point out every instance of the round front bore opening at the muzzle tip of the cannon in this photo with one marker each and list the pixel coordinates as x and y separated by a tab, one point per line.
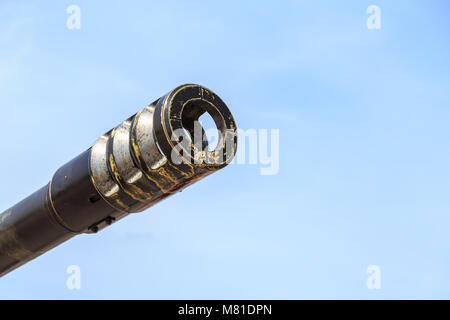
203	124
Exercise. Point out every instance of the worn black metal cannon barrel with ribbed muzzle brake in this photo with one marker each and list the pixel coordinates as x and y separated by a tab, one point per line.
158	151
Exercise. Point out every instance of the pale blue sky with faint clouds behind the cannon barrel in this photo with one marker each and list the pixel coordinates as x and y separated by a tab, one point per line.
364	175
